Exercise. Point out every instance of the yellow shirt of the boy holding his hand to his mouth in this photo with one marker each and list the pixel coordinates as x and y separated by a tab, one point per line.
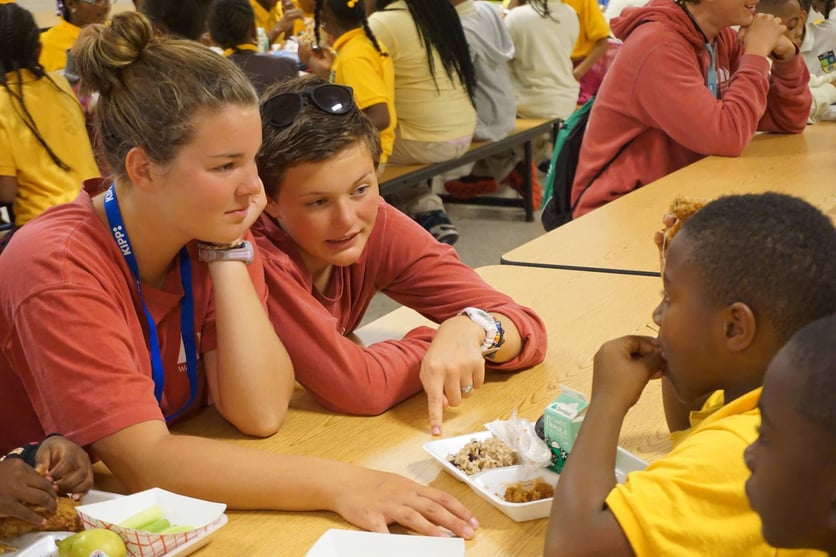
692	502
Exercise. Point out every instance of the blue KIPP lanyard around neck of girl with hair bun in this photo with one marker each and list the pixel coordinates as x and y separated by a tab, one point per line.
120	235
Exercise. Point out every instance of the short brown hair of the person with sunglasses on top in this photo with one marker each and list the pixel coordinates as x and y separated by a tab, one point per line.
313	136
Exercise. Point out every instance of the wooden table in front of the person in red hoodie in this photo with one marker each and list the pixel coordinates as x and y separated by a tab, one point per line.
618	237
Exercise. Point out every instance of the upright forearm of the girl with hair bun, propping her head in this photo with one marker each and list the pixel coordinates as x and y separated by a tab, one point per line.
252	379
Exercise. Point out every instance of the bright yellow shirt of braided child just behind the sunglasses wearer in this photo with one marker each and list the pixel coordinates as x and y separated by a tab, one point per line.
371	76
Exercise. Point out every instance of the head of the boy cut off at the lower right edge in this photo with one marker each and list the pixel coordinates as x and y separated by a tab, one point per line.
793	460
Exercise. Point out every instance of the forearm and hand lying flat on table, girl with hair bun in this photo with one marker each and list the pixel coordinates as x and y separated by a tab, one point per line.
145	455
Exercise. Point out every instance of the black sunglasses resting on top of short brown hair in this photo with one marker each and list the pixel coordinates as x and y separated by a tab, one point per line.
281	110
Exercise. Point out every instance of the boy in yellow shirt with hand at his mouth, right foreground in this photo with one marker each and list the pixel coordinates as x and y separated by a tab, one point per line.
742	275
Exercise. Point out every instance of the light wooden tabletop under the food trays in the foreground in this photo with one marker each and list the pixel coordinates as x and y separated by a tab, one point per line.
581	310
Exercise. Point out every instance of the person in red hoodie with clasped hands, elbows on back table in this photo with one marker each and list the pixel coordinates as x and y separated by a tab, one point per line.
686	85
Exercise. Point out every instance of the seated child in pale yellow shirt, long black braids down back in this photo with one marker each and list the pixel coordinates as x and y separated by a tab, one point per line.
434	89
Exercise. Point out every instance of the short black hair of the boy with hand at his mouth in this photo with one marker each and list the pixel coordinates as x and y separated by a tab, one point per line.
774	252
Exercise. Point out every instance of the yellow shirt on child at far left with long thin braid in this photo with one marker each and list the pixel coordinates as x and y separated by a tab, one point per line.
60	121
